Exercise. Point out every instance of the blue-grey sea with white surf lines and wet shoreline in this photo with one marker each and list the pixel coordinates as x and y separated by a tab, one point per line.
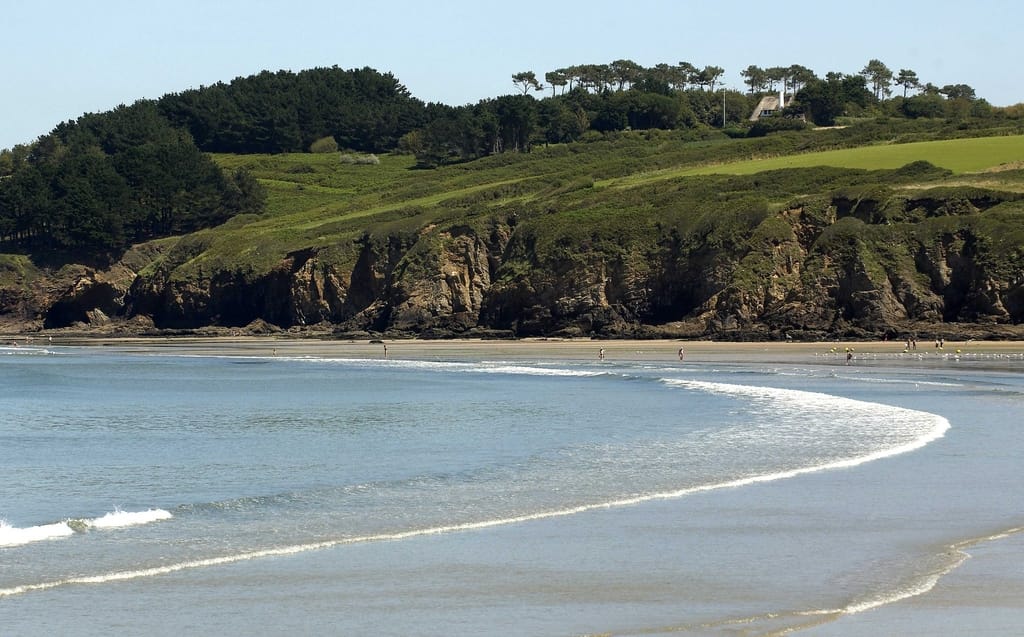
168	495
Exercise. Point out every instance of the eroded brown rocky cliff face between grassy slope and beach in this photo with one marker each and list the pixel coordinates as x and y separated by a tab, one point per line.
801	272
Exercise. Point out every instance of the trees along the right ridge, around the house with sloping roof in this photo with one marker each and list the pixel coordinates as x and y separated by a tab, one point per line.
624	96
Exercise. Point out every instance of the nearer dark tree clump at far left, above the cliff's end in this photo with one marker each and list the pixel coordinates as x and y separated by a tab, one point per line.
99	184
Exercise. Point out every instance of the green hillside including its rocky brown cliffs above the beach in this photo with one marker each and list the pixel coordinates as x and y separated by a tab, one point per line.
668	234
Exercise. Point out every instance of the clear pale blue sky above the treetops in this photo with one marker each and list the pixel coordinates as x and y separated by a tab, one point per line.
66	58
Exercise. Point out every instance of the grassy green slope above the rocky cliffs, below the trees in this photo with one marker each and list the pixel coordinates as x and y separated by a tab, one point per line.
318	202
